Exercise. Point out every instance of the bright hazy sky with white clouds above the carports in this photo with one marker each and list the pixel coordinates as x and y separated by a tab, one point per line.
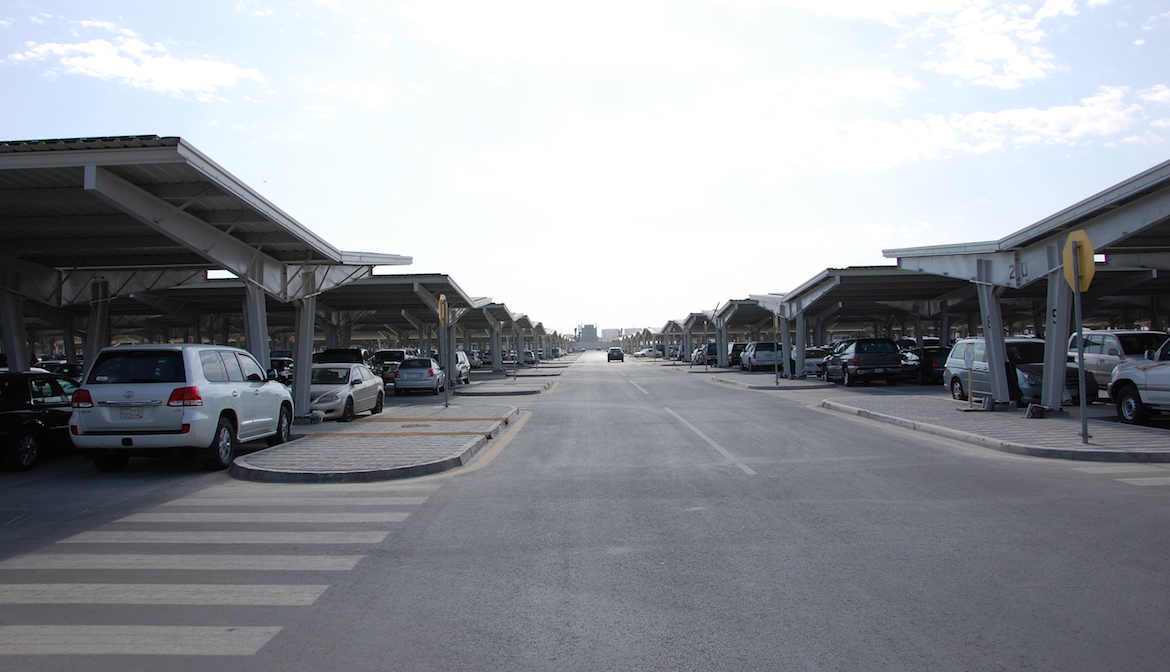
620	163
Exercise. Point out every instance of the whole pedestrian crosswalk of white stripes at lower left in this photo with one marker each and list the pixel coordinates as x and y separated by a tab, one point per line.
196	552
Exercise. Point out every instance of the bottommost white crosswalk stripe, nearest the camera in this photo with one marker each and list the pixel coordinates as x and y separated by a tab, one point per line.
134	640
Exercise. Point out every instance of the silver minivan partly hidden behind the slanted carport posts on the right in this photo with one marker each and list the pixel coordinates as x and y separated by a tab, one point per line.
1026	358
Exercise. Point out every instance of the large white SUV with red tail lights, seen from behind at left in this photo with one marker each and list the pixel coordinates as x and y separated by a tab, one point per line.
188	397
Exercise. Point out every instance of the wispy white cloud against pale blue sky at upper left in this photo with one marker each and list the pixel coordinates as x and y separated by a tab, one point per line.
134	63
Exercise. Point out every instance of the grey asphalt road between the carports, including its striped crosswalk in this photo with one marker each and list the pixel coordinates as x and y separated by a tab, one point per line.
639	518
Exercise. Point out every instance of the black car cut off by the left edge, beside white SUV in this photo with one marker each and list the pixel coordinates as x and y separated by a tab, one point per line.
35	414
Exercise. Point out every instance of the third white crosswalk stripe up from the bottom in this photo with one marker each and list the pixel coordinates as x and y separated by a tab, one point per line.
184	563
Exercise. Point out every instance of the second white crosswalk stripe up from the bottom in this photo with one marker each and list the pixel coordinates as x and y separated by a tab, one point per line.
266	595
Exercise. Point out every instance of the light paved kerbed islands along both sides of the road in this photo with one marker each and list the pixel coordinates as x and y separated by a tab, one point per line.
419	440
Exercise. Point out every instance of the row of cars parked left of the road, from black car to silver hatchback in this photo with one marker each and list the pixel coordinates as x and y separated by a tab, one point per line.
197	400
